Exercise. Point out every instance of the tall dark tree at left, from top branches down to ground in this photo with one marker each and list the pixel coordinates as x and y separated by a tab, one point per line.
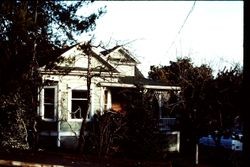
33	34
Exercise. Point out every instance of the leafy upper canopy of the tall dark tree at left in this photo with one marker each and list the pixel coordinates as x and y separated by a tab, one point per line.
33	34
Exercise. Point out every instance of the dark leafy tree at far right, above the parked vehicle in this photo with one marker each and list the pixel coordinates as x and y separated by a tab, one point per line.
228	91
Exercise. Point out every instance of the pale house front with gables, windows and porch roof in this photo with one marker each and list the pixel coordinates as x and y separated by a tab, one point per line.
63	99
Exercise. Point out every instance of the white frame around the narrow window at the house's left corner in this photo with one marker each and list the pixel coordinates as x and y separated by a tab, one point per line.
42	104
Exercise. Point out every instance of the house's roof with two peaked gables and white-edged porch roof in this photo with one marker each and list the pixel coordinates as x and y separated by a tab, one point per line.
128	81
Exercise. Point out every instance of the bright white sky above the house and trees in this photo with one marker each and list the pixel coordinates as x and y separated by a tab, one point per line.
156	32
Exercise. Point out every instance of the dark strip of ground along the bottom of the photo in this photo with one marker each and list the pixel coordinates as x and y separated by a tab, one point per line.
208	158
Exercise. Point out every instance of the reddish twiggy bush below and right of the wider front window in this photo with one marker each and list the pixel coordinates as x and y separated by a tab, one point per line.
105	133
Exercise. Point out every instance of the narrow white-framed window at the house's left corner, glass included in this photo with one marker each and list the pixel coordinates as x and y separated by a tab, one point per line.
48	103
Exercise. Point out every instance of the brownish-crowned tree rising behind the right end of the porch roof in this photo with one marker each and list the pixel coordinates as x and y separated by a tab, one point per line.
192	81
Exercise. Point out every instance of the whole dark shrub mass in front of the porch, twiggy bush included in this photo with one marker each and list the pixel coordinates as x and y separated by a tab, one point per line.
132	134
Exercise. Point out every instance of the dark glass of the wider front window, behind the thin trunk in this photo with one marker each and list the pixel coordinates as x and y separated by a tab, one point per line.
79	104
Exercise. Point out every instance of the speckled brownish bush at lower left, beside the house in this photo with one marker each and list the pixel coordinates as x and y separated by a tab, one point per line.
13	130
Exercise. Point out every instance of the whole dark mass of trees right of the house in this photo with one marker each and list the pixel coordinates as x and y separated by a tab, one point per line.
208	103
